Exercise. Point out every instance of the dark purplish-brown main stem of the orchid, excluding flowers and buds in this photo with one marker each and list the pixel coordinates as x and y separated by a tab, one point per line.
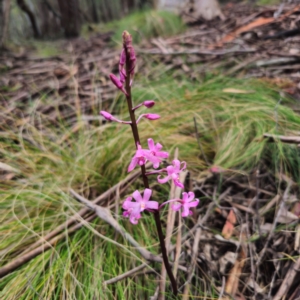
136	137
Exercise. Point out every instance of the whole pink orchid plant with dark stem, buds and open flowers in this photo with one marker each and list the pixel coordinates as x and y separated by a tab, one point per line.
154	155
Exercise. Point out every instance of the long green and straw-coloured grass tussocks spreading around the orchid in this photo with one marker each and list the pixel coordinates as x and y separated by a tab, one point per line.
90	159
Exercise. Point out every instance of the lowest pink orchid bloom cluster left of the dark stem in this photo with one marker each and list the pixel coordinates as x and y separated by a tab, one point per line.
133	209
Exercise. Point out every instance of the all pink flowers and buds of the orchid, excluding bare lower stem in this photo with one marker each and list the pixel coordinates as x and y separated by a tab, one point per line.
153	154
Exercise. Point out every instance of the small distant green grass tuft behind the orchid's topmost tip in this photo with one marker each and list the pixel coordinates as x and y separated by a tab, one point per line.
147	24
